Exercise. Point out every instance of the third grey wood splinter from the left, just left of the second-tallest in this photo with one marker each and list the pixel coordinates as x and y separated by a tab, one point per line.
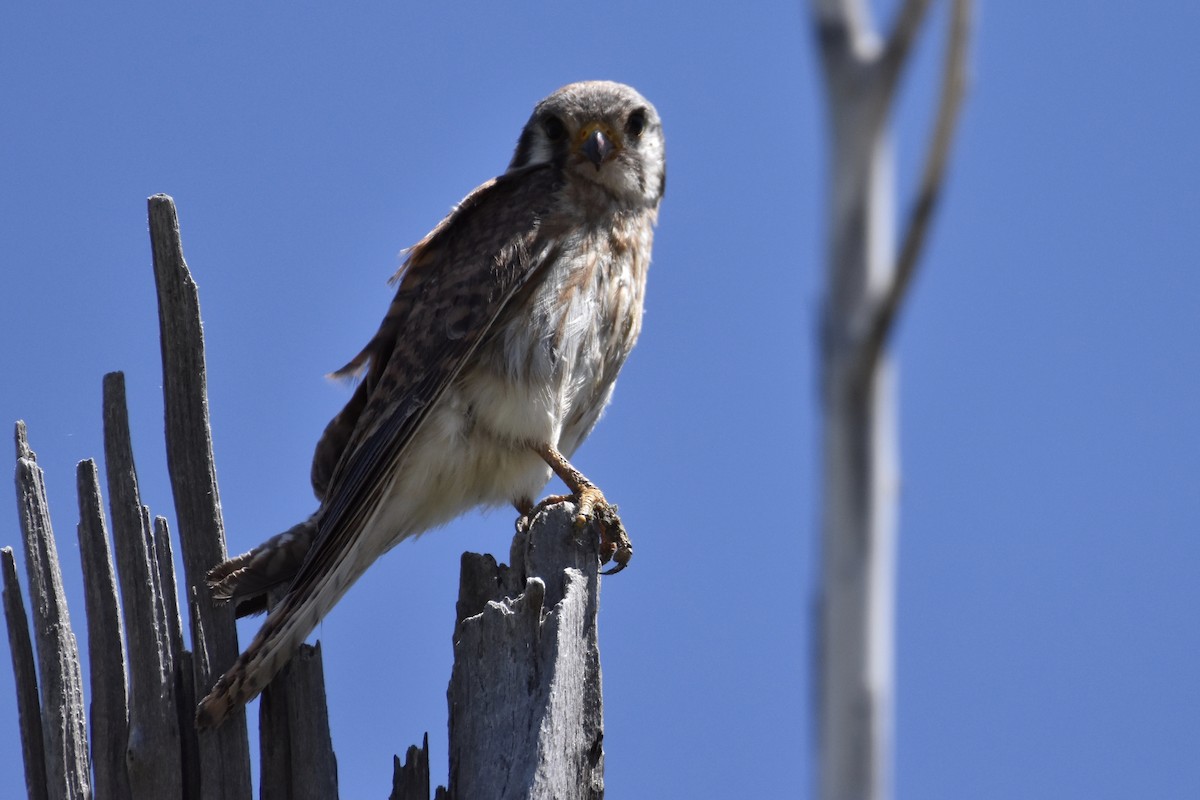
106	641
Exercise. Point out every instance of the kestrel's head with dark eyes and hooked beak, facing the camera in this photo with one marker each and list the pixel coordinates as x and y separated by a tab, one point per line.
601	133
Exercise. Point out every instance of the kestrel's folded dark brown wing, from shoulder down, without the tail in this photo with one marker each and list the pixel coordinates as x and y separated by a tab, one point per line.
455	284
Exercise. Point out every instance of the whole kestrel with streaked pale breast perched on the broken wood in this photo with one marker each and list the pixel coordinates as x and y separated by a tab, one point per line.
494	363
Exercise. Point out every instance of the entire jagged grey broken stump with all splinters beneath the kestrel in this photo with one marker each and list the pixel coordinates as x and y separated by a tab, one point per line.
525	697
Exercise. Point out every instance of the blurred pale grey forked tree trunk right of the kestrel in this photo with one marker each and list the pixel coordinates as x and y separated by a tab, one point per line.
868	280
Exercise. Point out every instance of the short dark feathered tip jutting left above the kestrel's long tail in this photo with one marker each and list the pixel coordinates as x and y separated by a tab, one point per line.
247	580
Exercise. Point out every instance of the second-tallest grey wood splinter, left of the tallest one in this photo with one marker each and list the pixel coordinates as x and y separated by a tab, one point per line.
153	750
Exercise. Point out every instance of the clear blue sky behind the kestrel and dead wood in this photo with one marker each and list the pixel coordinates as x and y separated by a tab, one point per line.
1049	393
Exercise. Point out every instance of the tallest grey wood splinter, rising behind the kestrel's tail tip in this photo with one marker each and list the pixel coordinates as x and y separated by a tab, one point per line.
225	751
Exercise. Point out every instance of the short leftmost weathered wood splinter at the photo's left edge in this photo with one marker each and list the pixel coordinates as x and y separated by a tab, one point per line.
29	709
